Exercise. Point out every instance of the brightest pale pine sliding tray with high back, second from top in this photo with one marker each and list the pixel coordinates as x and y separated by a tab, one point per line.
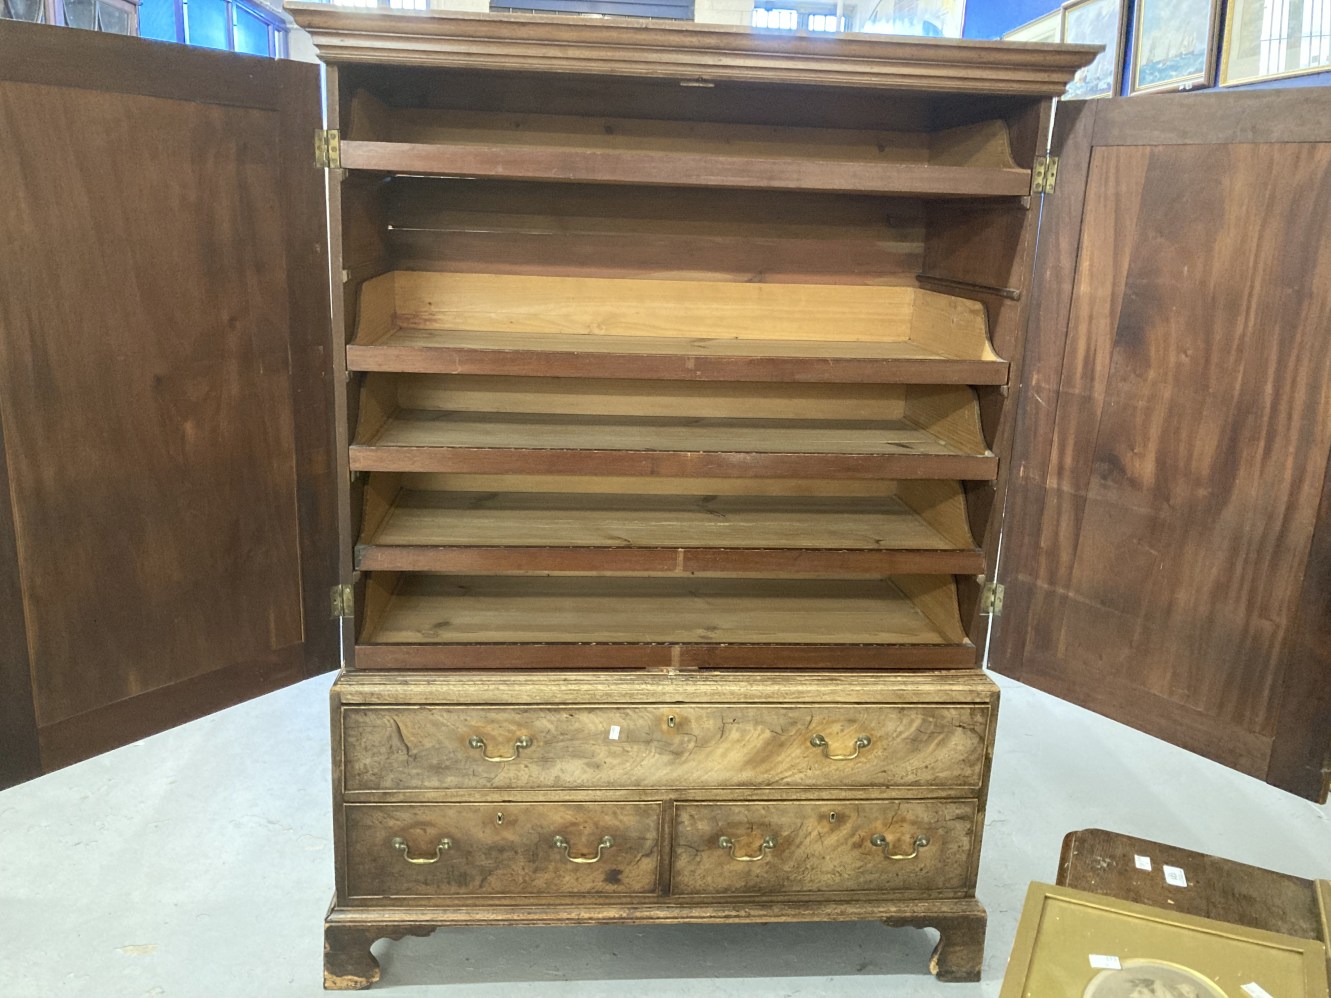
697	331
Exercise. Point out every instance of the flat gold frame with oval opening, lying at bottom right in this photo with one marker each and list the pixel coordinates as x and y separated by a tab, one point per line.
1080	945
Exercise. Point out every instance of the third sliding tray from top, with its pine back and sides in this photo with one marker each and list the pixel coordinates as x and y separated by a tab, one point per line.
565	426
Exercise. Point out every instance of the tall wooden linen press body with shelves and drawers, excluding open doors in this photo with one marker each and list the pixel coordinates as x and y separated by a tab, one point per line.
678	369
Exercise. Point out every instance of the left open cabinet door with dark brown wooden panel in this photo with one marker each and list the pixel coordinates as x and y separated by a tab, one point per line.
167	534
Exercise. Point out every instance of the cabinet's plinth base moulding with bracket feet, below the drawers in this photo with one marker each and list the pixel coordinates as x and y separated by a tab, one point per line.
351	932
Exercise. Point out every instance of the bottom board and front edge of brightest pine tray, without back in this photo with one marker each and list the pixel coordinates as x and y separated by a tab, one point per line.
581	356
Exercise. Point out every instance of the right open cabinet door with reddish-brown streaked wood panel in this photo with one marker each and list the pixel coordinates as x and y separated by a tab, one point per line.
1168	550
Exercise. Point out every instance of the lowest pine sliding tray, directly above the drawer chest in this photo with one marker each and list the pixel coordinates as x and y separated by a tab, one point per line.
484	622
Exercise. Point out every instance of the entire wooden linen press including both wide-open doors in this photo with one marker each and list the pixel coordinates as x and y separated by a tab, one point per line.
687	393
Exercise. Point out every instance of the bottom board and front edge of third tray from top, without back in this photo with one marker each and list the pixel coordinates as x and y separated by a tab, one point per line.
560	444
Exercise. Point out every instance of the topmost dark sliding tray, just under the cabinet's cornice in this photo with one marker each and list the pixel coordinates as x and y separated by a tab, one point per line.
968	162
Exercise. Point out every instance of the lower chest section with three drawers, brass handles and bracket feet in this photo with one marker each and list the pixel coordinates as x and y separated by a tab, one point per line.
656	796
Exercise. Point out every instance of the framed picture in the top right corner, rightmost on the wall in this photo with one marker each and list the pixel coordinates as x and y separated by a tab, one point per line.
1269	39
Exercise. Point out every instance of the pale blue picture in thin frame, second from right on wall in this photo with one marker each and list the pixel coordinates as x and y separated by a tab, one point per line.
1175	45
